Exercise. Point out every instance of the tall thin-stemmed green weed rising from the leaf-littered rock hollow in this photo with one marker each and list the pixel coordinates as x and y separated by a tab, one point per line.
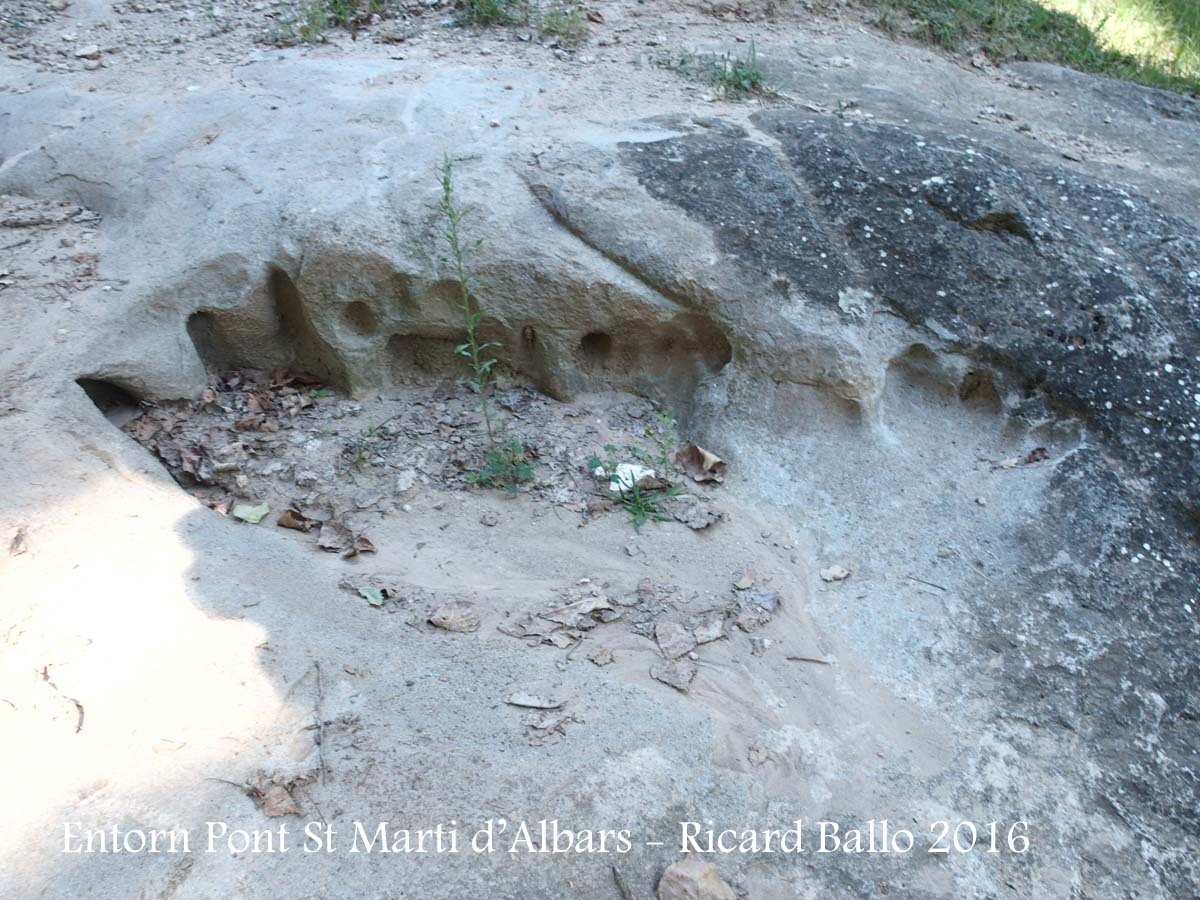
507	459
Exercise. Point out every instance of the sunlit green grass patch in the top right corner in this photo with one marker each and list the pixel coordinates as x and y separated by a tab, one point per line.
1153	43
